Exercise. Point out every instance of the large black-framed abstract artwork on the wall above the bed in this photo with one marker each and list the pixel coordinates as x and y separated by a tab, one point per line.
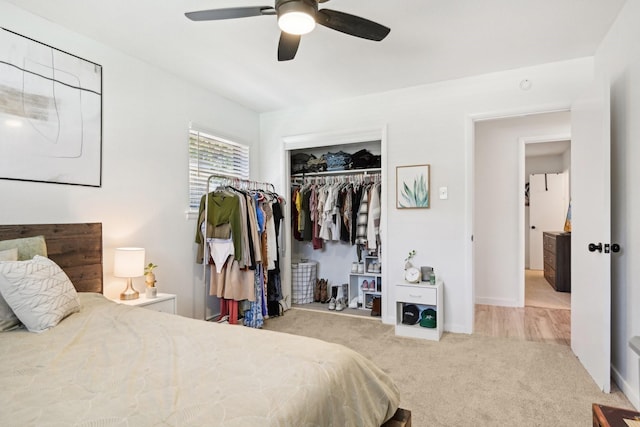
50	114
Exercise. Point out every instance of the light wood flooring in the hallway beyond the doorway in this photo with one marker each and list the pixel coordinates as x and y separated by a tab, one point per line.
540	320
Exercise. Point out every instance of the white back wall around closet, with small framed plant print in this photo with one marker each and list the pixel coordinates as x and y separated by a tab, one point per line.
430	124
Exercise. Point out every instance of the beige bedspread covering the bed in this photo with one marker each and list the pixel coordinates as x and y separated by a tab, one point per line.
115	365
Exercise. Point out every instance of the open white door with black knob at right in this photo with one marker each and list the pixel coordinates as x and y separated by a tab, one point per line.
591	234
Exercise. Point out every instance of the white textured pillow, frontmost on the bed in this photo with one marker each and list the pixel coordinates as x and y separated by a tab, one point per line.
38	292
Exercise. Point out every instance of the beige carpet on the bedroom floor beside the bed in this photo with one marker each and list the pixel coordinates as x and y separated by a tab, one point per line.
466	380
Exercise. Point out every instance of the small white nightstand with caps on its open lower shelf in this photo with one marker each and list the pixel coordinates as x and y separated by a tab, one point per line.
423	296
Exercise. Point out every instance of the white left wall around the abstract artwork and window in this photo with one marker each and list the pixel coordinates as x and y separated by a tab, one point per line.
143	198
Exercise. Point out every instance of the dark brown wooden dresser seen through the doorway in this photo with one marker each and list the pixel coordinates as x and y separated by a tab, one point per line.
557	260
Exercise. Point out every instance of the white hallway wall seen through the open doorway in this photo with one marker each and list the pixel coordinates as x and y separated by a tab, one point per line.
498	230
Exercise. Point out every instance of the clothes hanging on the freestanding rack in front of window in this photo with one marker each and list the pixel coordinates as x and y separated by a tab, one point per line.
241	238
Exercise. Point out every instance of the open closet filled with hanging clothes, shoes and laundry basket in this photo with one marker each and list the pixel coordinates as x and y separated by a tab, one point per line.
332	267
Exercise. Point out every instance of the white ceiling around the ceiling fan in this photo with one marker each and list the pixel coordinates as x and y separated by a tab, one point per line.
430	40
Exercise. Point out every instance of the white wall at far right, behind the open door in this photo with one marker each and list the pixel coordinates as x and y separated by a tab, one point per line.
618	60
